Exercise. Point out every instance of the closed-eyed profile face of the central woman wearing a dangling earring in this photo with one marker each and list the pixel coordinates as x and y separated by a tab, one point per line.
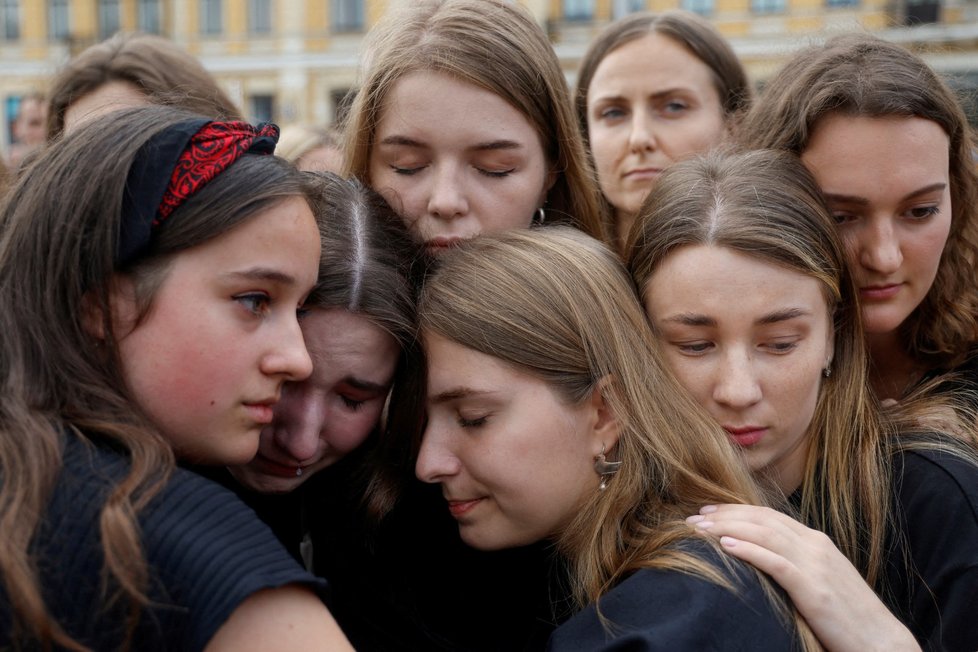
514	459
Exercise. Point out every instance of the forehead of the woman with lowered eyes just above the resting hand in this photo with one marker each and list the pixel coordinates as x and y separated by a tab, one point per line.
718	281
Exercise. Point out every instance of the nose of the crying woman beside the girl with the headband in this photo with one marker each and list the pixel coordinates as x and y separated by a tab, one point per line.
300	418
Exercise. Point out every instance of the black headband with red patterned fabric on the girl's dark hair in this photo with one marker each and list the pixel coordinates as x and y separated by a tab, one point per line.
176	163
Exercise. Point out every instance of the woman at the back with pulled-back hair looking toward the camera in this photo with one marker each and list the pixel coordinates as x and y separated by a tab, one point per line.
653	89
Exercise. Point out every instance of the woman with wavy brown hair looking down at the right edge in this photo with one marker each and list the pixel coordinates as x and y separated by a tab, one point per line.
891	149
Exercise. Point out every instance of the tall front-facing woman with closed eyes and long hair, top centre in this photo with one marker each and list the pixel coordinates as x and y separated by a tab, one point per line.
462	122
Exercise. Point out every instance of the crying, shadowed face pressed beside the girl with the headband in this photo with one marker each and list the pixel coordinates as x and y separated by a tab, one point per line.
328	415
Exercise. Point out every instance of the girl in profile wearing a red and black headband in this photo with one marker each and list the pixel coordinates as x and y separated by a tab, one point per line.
149	326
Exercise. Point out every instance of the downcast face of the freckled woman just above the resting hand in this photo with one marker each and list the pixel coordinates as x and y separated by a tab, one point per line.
749	340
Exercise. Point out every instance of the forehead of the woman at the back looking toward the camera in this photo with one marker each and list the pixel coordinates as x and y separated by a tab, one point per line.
652	63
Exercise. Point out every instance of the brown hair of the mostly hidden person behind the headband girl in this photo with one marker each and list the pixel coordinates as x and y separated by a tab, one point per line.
158	67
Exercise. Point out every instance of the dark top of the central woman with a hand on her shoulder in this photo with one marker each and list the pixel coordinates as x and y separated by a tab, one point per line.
670	610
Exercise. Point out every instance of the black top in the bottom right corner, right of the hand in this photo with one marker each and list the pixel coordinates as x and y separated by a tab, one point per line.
932	567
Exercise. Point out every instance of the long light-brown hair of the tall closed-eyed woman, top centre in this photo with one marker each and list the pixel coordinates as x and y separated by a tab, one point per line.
495	45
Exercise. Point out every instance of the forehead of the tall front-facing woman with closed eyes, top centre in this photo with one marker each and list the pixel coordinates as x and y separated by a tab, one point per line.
443	109
